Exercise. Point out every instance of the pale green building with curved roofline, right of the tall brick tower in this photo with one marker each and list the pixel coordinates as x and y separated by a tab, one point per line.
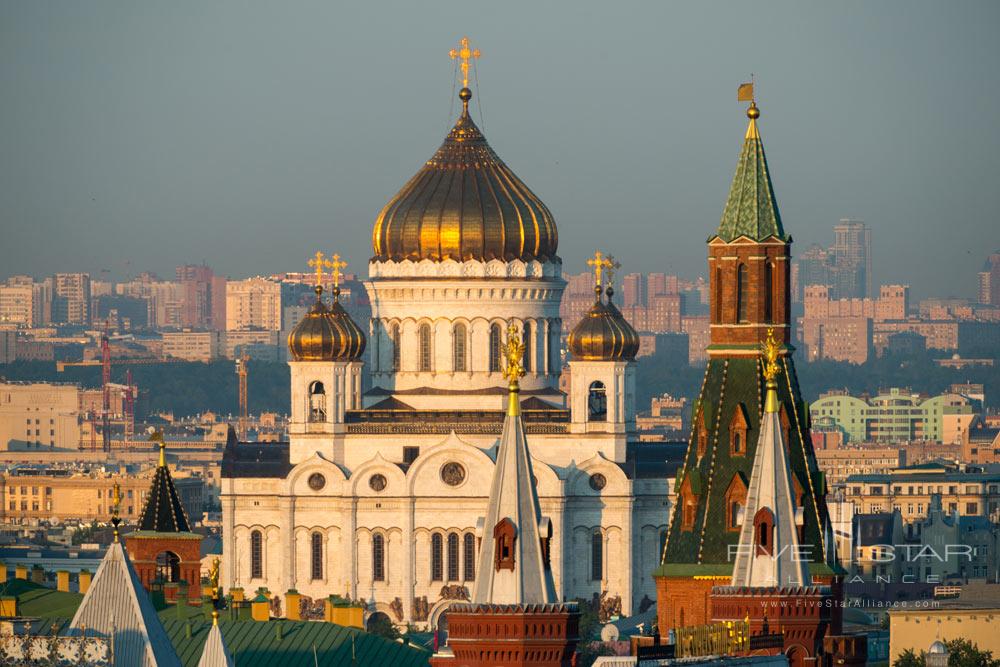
895	415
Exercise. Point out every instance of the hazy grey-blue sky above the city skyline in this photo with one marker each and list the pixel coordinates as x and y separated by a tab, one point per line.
249	135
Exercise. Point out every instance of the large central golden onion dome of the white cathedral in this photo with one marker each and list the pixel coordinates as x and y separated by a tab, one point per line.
465	204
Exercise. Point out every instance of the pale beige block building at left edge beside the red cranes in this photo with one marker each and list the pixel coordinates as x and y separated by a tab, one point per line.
36	415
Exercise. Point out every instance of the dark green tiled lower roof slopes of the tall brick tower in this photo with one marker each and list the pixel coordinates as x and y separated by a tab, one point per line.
727	384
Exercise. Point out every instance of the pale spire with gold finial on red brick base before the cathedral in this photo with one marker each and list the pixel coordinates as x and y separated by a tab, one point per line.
514	618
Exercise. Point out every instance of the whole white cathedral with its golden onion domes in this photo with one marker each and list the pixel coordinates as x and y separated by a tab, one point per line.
378	493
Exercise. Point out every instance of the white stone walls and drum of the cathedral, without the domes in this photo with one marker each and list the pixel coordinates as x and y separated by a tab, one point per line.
357	512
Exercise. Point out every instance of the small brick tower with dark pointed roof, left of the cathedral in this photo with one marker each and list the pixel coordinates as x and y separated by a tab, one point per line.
162	548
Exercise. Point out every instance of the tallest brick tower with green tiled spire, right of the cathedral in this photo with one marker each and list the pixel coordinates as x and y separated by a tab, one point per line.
748	263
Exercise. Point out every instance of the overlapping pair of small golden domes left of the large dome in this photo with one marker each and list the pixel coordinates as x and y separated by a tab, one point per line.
326	333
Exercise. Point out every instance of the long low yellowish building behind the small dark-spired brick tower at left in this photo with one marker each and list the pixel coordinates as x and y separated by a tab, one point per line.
37	492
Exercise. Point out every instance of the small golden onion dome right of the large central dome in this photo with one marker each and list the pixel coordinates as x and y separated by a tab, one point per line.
603	334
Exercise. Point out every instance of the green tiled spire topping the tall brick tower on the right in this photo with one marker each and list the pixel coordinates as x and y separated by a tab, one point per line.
751	209
